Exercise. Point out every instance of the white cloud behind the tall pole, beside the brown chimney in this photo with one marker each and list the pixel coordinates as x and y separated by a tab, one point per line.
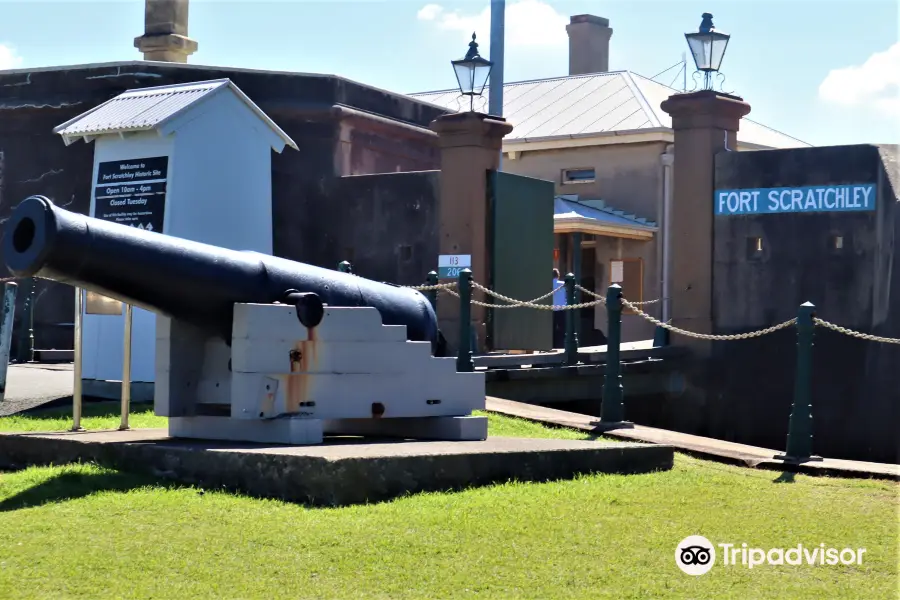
529	23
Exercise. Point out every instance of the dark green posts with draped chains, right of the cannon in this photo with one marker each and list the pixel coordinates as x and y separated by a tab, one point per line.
800	432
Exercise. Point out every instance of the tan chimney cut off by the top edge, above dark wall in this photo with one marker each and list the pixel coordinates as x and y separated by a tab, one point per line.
165	31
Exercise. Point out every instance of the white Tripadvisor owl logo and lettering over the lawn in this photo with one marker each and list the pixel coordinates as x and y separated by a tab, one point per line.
696	555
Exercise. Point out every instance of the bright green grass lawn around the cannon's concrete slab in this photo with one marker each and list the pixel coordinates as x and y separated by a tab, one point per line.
82	531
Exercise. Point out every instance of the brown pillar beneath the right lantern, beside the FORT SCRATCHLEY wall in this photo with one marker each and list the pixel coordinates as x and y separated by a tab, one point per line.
704	122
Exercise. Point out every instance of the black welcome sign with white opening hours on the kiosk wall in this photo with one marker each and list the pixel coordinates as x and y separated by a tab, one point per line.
132	192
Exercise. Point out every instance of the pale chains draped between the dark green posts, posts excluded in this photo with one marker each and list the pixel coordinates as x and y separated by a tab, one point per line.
633	306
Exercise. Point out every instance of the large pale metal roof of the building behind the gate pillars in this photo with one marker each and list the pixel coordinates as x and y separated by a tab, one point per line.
585	105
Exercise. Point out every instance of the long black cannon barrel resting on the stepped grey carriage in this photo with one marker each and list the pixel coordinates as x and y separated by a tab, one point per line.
190	281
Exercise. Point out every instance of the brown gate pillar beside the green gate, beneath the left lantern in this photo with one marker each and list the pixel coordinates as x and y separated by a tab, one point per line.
470	146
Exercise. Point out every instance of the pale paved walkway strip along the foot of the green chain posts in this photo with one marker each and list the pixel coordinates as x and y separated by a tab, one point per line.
731	452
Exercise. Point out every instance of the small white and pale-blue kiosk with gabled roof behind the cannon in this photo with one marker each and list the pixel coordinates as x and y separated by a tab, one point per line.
189	160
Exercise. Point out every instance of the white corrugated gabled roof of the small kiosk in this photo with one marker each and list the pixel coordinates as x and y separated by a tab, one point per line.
146	109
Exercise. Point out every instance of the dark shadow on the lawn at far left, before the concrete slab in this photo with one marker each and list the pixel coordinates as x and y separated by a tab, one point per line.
72	486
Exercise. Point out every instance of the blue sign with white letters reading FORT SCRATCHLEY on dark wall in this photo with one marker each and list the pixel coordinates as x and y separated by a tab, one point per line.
816	198
